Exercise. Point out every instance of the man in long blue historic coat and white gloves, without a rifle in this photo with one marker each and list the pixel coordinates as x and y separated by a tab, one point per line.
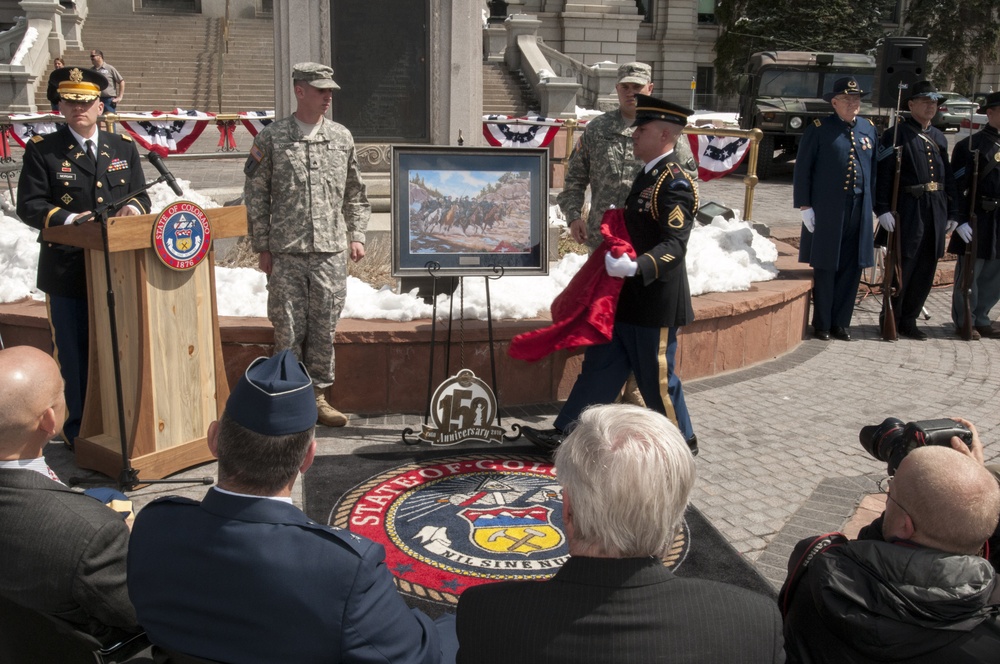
834	188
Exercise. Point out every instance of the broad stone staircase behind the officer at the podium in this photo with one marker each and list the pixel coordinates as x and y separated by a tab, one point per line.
172	61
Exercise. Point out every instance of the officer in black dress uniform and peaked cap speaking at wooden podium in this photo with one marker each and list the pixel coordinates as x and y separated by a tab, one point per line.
65	175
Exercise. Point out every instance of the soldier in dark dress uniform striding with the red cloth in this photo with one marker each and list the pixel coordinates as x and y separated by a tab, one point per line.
655	299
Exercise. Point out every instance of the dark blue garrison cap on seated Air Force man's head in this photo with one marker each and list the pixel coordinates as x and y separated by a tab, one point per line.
274	397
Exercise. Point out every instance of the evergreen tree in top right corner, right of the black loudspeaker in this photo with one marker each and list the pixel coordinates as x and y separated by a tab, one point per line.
963	36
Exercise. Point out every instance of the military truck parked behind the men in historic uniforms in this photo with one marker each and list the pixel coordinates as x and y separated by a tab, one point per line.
781	92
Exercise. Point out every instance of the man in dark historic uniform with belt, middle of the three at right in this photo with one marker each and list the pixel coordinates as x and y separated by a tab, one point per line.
926	201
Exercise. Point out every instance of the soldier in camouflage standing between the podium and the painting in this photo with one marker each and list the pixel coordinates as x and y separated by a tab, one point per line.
307	209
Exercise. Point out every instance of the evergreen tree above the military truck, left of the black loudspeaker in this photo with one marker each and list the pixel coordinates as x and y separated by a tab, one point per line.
836	26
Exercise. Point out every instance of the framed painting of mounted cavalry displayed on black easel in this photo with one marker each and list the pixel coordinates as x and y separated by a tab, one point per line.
464	210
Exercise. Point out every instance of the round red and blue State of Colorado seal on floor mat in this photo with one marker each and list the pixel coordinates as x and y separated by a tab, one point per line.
452	522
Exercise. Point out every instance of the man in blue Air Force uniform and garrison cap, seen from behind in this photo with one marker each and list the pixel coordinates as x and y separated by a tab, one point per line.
245	576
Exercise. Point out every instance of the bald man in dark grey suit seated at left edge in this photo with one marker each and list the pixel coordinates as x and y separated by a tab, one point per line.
63	552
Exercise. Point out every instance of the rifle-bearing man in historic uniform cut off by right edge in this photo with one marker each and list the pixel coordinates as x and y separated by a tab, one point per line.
986	272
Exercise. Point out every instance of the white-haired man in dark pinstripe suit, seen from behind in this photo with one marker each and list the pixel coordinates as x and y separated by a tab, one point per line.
626	474
